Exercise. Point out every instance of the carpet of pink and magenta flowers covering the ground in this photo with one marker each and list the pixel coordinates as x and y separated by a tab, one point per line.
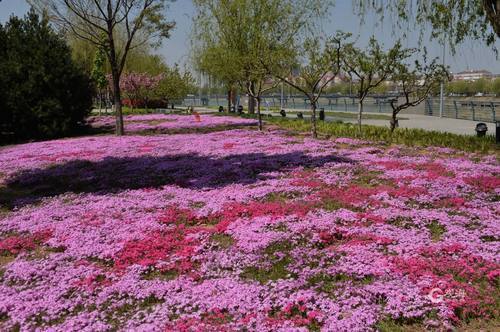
239	230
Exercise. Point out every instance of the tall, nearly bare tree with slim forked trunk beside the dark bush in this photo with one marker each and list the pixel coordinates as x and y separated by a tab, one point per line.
137	22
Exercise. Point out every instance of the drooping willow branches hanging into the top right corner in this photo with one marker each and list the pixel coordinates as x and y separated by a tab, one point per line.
451	20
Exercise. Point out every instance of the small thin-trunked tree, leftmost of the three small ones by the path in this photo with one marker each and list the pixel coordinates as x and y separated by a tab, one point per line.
321	64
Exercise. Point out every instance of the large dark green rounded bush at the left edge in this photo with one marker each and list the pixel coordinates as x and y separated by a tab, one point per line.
43	94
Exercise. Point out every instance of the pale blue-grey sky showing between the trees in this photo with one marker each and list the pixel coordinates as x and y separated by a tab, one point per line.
469	56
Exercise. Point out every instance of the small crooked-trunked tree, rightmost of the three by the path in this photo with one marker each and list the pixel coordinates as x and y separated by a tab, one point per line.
415	83
